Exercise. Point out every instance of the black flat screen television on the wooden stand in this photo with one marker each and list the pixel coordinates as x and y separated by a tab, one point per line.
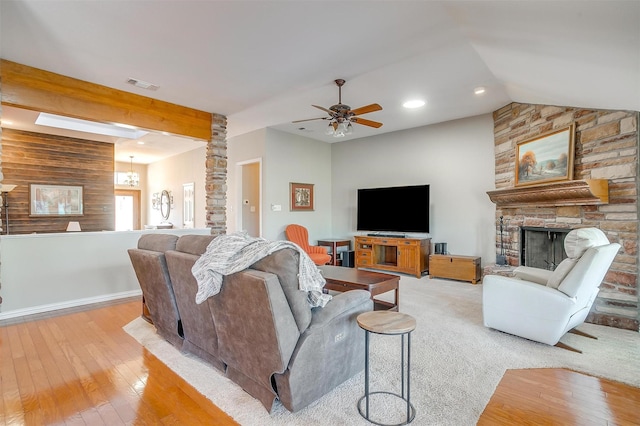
396	209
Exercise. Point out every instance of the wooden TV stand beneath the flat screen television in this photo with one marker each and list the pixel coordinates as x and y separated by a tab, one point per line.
407	255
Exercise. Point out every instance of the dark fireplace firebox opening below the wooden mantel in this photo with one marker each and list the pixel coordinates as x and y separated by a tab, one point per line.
542	247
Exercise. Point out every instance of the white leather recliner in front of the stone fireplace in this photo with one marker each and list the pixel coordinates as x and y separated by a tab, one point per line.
543	305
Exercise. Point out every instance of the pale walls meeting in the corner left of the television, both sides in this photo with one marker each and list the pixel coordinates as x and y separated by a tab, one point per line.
456	158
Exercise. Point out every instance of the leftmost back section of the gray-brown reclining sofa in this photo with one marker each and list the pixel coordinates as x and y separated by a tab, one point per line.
150	266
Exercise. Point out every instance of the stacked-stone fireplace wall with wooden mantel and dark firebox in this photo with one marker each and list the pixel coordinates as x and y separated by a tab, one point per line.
602	194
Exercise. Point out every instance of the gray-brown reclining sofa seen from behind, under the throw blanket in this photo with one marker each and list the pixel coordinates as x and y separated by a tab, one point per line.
259	330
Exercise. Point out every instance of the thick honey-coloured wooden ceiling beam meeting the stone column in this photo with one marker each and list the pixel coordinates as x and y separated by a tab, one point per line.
44	91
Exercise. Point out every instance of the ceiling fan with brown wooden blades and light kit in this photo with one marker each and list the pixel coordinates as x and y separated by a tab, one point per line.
341	116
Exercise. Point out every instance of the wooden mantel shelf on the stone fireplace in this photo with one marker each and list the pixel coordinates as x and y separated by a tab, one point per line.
565	193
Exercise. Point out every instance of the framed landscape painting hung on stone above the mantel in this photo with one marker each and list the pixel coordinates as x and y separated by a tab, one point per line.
546	158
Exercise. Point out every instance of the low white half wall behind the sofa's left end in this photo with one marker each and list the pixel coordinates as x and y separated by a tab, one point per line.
45	272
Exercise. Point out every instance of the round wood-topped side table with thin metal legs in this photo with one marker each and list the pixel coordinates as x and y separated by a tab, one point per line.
388	323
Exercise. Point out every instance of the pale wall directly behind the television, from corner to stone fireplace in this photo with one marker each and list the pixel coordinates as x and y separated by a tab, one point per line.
455	158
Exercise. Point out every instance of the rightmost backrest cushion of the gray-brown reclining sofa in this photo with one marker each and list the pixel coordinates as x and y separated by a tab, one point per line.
284	264
